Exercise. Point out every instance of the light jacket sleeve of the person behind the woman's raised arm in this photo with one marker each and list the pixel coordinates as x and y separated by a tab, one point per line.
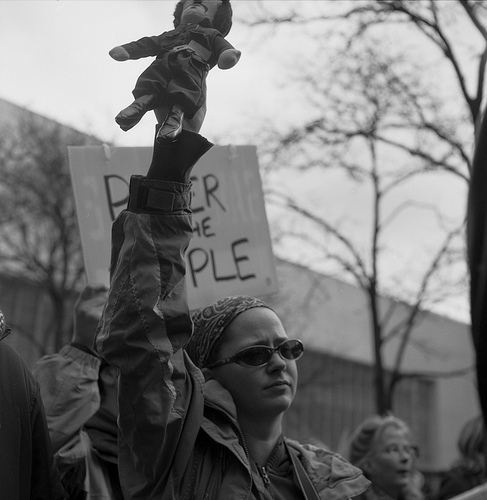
69	388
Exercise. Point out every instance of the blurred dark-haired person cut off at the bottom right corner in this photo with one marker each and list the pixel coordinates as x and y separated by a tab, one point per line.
470	469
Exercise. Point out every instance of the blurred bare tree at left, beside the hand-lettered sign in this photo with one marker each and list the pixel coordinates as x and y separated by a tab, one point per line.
39	238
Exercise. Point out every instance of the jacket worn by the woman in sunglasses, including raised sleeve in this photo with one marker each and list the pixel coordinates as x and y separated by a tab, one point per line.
180	436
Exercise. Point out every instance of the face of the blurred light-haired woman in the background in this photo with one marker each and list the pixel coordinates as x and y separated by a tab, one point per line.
390	467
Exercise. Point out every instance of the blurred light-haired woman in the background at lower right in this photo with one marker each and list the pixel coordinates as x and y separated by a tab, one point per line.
382	447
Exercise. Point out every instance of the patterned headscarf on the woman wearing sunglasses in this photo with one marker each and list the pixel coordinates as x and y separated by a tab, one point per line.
211	321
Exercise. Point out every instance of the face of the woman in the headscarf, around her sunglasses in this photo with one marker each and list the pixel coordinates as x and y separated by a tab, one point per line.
259	392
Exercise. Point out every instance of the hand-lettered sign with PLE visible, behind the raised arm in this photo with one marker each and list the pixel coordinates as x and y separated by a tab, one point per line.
230	253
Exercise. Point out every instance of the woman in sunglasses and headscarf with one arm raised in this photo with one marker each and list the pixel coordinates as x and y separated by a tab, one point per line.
200	415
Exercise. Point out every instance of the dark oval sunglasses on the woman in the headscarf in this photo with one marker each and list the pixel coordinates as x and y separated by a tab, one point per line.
260	355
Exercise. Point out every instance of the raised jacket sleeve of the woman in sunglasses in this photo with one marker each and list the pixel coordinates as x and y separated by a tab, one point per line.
144	326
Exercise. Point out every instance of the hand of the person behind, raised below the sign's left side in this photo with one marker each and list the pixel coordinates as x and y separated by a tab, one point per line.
87	313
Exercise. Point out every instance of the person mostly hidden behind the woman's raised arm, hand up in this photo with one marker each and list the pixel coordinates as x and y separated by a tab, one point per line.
80	395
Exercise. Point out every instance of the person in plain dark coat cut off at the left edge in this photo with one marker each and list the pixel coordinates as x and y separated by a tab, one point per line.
27	468
